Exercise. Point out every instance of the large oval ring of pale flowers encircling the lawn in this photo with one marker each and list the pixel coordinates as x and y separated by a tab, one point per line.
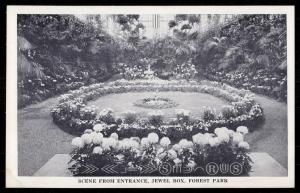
73	115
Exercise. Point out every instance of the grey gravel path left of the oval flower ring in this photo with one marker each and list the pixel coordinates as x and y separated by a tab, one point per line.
38	137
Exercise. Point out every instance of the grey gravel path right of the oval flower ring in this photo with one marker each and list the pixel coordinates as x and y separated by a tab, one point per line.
271	137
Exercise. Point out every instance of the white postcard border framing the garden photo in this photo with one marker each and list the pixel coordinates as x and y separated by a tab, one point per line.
12	178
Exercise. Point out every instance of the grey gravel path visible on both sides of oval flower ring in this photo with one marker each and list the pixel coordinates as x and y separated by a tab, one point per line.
39	138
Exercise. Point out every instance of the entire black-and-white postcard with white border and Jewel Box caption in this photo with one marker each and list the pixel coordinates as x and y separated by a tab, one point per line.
141	98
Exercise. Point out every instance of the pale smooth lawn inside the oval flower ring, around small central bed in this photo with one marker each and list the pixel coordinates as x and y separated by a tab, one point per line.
191	101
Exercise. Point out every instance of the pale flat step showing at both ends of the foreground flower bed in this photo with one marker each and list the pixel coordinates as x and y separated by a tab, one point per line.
264	165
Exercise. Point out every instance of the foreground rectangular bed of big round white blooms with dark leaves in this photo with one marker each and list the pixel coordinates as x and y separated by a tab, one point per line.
110	155
